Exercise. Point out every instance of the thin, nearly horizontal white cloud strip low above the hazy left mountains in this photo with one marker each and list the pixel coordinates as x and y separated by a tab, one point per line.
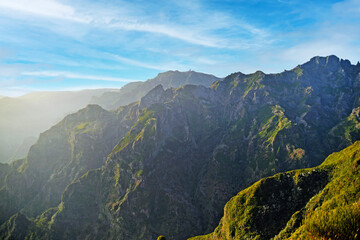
76	76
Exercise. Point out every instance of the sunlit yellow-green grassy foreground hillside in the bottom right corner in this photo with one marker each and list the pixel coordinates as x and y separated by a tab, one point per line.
317	203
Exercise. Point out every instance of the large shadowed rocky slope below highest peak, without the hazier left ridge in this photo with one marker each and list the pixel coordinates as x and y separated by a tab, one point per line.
188	150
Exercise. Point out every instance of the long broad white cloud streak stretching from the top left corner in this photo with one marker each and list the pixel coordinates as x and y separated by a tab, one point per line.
196	32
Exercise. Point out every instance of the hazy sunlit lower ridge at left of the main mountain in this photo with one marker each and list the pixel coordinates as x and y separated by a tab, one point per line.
62	154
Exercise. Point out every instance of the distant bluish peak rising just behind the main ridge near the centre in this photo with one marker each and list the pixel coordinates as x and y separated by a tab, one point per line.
133	92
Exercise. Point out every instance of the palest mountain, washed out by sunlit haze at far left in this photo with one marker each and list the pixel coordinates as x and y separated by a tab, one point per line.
24	118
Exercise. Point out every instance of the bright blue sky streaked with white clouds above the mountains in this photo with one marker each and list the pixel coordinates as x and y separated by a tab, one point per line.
51	45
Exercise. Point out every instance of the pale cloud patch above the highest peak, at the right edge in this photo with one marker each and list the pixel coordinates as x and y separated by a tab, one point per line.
338	33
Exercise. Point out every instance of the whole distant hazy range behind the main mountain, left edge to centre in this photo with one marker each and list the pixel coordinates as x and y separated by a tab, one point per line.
25	117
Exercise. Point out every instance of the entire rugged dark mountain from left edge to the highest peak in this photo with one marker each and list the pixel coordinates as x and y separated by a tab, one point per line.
167	165
